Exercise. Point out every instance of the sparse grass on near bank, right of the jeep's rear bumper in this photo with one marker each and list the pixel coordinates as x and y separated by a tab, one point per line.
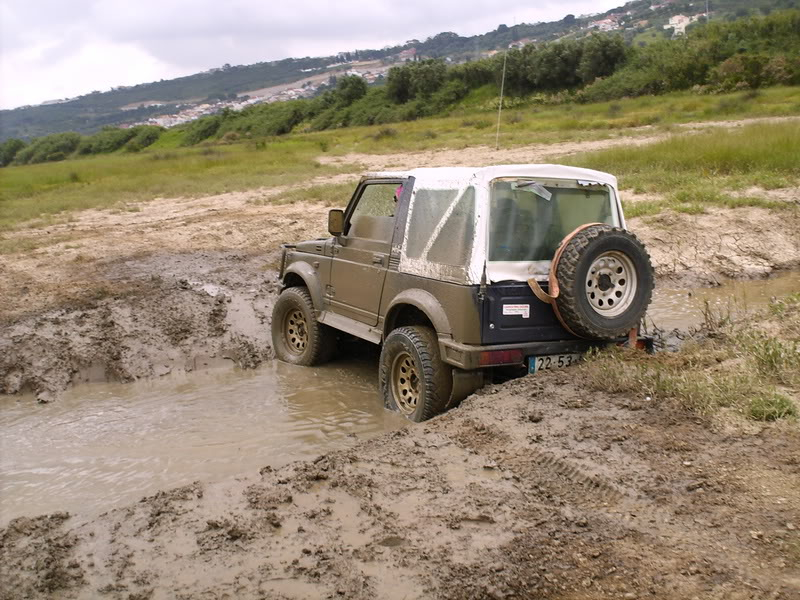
730	364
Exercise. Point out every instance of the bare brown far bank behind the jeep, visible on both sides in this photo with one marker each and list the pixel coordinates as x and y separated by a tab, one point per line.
163	291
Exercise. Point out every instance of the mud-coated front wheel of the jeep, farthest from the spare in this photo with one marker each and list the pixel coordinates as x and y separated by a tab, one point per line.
297	337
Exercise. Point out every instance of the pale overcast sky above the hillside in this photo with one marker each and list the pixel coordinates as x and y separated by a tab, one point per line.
63	48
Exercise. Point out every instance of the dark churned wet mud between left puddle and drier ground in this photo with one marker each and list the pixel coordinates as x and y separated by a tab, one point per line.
166	313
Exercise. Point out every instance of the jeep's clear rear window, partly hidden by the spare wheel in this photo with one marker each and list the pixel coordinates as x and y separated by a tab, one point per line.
529	218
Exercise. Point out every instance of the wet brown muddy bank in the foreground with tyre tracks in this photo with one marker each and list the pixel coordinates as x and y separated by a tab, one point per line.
537	488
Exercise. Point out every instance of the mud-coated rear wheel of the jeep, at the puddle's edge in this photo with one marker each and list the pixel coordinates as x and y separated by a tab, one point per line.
414	380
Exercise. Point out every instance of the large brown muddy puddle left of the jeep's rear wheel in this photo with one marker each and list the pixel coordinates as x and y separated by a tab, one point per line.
107	445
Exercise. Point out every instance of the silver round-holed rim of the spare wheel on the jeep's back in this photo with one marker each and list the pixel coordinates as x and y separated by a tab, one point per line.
611	284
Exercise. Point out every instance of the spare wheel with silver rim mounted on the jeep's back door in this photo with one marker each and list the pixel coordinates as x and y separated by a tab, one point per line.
606	281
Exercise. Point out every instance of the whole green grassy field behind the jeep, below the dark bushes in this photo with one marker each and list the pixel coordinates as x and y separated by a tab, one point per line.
36	192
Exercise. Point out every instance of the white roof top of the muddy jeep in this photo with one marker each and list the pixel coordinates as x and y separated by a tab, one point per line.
487	174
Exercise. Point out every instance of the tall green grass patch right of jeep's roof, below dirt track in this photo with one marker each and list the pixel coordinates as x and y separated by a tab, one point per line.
694	171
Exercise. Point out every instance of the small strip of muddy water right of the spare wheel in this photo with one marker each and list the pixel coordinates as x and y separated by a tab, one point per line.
682	308
